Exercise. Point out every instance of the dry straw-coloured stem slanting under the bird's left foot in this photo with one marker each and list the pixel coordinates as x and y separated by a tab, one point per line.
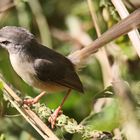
27	113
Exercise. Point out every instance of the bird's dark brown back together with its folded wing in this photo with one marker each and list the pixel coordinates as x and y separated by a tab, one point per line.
51	66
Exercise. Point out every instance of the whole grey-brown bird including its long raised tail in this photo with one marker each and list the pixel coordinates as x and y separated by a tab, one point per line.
48	70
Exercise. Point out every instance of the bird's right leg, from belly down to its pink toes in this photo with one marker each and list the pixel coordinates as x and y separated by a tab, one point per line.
58	111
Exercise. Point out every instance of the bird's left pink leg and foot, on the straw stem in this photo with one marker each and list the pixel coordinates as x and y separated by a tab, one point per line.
34	100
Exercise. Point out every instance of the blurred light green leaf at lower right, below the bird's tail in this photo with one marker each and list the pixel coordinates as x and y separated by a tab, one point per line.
106	120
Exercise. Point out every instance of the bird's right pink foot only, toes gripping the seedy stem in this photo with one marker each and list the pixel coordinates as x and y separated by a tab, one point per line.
53	117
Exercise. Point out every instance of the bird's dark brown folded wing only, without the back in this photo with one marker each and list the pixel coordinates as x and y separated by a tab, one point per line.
58	72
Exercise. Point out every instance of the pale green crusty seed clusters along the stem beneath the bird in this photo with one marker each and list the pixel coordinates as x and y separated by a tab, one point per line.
70	125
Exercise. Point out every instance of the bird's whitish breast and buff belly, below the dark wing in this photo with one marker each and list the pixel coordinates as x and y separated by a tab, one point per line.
26	71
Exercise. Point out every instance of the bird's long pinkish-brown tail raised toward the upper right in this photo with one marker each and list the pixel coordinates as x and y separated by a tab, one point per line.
123	27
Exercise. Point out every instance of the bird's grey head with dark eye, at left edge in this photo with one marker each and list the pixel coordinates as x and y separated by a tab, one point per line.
14	37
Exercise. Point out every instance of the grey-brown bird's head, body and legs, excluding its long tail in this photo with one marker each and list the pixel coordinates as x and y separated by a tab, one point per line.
39	66
